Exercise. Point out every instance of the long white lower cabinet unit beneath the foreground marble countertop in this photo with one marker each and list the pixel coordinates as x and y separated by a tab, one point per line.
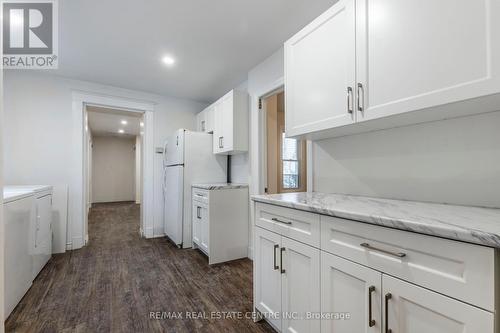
351	292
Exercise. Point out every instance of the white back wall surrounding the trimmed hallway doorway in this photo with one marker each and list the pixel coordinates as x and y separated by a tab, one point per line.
38	140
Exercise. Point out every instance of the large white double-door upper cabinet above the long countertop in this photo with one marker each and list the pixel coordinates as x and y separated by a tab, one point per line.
420	60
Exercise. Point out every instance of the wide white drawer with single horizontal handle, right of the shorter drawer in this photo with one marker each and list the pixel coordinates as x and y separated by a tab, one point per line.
460	270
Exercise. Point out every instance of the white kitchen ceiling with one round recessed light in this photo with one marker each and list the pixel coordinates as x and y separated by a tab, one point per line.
215	42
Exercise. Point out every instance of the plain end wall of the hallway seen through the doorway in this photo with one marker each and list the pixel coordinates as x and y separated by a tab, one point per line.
113	169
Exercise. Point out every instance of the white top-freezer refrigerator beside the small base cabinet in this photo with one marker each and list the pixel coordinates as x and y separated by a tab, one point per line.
188	159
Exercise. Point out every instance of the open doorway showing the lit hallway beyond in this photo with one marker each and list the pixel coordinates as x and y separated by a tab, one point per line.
113	168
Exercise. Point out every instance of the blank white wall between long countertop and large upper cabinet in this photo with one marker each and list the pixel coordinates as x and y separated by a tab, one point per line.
454	161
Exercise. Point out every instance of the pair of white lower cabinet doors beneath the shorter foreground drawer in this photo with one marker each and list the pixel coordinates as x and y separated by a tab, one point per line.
287	291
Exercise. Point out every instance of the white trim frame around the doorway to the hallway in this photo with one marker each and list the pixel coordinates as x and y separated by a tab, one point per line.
79	218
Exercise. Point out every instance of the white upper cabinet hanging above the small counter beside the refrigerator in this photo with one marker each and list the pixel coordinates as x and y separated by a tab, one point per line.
231	123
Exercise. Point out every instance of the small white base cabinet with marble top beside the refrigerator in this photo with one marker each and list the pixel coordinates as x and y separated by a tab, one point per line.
220	221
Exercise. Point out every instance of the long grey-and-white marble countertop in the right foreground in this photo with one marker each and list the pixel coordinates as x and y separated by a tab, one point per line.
468	224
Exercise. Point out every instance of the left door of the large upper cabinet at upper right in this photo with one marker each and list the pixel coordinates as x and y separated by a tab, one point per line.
319	70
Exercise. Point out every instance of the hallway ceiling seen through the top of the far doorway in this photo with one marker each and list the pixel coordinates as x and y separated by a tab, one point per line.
107	122
